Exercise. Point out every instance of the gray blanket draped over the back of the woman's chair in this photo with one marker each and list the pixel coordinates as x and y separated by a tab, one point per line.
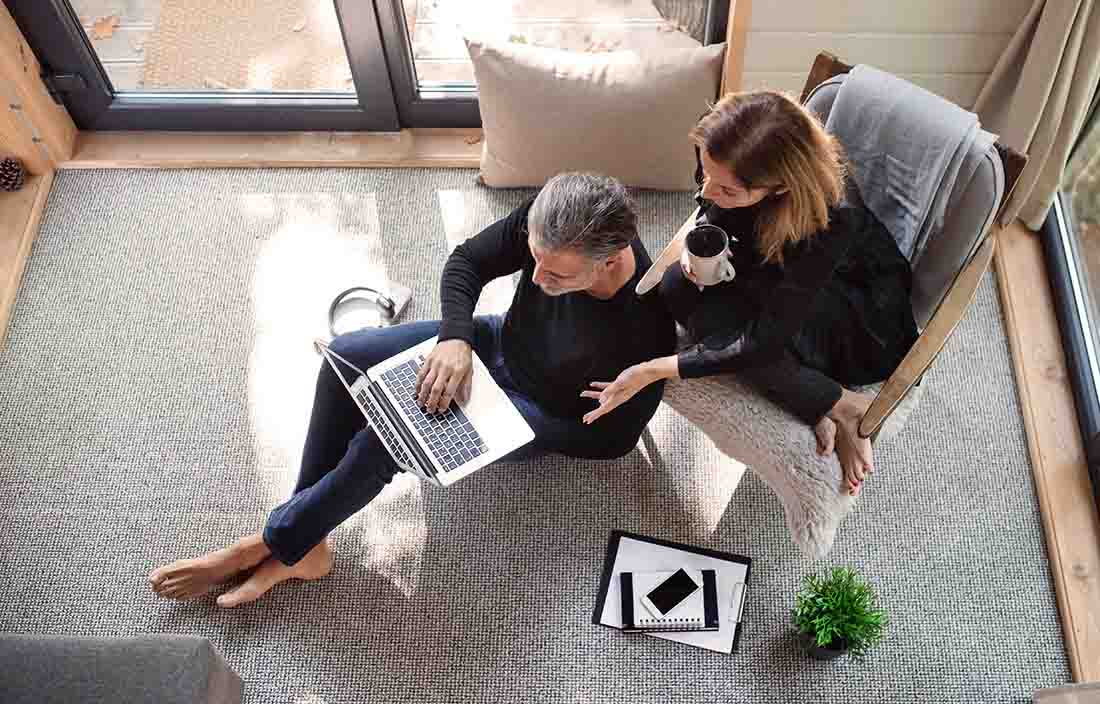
899	159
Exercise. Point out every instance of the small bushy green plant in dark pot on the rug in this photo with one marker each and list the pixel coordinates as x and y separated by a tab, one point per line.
837	613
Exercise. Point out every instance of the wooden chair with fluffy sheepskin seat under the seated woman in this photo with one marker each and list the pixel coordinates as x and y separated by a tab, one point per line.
779	448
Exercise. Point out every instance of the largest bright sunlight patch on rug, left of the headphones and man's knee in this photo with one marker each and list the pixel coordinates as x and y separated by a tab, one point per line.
315	252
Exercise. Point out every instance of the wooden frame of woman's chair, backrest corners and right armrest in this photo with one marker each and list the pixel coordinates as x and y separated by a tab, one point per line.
955	303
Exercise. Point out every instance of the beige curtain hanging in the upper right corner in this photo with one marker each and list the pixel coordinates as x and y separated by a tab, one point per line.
1039	95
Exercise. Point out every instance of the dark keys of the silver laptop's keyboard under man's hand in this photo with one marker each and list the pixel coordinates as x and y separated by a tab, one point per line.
450	436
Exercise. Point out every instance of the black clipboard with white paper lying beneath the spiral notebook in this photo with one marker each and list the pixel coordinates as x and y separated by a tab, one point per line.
632	553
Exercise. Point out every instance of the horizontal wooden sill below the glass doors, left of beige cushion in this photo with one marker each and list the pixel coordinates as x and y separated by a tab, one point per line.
447	148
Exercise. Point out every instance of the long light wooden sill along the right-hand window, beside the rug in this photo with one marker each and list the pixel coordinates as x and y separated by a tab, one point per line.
1058	454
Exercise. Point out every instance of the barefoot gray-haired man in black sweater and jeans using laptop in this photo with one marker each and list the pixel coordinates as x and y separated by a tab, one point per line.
575	324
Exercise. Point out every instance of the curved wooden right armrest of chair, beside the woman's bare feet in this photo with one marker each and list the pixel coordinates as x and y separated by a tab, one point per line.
932	340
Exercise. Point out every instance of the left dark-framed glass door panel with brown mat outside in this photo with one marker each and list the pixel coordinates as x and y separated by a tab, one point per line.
214	65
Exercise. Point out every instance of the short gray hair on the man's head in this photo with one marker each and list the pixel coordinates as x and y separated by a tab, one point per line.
588	213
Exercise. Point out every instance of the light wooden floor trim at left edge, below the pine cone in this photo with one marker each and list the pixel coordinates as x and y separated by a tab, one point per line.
20	215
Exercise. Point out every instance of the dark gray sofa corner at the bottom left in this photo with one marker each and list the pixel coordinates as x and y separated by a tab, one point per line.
162	669
